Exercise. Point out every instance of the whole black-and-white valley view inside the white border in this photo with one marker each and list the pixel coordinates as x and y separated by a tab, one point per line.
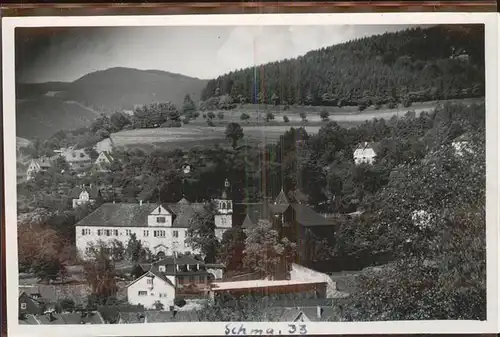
328	173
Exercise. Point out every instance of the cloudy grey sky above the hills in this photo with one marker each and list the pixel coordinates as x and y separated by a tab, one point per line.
66	54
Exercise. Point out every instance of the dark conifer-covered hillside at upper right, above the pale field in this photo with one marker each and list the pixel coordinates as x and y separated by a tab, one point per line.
417	64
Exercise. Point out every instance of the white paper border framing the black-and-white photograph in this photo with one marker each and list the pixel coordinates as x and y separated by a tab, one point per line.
218	328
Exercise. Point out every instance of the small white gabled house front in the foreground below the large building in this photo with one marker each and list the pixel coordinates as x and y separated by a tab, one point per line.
149	289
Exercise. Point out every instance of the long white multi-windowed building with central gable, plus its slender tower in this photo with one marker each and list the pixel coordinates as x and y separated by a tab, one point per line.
162	228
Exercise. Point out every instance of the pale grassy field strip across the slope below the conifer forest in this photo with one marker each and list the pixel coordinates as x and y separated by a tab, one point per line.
256	129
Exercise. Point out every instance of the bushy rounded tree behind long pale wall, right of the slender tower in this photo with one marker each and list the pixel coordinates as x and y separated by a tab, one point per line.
266	253
